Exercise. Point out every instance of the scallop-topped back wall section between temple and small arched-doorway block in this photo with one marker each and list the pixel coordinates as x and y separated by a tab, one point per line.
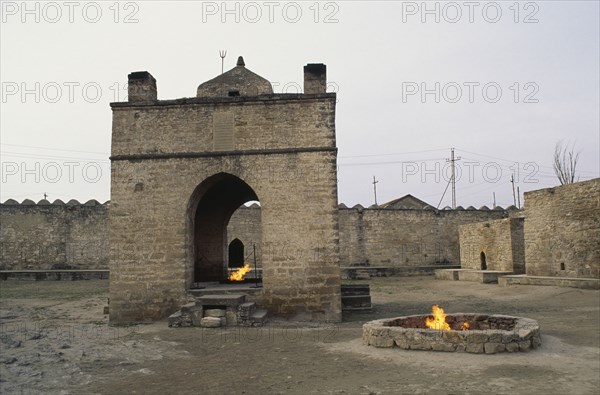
396	238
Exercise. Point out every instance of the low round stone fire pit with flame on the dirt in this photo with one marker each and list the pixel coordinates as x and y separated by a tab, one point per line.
488	334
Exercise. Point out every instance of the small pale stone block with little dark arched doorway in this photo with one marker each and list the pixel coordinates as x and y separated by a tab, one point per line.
500	240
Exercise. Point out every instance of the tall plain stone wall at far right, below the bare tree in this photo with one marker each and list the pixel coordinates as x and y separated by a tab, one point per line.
562	230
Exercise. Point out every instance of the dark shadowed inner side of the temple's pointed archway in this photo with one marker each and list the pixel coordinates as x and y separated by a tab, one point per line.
211	206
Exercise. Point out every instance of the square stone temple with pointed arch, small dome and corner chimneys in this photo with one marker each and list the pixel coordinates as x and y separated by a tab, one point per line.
181	168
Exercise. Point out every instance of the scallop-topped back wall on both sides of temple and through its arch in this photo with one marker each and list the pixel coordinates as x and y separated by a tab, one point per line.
32	234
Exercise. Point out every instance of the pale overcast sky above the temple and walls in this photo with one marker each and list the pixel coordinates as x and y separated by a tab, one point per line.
501	82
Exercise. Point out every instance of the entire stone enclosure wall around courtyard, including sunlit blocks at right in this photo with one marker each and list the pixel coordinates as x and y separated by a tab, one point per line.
41	236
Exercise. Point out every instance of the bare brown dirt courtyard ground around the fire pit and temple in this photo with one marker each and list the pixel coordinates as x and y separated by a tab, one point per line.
55	340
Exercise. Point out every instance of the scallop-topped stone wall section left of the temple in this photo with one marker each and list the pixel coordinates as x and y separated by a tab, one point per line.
47	236
